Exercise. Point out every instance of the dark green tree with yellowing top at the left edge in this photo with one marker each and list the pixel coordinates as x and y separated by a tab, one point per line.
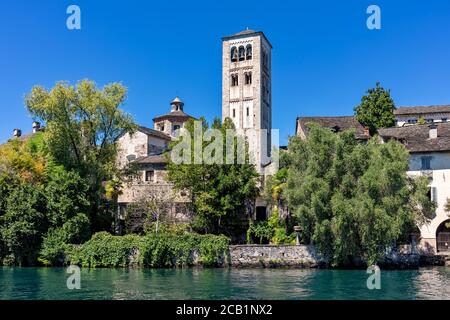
37	197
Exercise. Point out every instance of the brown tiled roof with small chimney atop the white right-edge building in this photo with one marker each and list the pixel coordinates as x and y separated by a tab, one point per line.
416	138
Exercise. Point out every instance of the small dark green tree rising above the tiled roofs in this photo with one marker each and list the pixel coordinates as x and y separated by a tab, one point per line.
376	109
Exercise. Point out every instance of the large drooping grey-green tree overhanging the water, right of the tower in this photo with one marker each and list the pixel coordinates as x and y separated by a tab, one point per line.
351	199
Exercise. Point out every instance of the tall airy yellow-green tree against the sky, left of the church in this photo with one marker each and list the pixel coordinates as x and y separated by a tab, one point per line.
82	125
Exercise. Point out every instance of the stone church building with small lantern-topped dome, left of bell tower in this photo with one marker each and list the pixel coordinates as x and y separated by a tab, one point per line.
145	149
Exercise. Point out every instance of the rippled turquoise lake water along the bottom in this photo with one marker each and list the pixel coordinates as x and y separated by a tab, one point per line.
50	283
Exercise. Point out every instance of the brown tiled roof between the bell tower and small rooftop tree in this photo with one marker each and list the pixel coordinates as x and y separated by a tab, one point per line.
341	123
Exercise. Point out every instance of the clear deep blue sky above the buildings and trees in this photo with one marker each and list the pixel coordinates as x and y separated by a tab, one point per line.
324	57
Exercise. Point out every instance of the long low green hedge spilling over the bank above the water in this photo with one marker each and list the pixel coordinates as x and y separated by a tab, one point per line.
160	250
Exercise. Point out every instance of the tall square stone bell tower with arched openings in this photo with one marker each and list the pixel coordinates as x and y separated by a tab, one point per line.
247	90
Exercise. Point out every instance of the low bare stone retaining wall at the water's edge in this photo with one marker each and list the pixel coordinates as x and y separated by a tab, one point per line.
275	256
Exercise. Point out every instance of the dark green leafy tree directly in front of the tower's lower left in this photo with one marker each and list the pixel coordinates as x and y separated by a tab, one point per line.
221	194
